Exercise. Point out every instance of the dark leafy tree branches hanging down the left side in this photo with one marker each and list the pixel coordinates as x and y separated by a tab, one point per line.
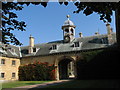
10	22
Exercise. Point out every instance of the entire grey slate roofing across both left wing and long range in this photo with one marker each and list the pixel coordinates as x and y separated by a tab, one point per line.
85	43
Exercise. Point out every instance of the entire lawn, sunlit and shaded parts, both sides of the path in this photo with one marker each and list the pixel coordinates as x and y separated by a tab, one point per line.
70	84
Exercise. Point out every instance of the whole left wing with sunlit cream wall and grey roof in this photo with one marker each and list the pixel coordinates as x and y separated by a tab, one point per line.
9	62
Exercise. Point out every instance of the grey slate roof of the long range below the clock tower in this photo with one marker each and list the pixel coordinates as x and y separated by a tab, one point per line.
86	43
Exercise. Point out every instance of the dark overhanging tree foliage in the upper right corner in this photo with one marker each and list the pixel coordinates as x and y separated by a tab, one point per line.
104	9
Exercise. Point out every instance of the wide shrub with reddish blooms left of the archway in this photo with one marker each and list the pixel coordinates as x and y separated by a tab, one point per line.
36	72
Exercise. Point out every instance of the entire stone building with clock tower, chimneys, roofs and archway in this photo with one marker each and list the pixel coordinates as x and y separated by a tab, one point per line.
63	53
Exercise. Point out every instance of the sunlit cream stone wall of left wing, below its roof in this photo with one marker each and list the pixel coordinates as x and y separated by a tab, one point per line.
8	68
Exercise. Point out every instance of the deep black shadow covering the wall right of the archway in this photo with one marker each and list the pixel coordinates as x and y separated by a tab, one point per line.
104	65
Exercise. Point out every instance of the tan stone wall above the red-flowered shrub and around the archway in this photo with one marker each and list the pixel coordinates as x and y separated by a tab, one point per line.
51	59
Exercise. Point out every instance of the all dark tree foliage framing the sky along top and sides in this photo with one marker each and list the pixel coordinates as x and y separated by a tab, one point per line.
104	9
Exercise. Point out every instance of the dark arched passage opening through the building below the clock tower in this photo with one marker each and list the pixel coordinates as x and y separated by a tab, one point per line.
66	69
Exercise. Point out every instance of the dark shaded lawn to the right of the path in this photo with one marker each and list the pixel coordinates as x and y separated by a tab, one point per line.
88	84
